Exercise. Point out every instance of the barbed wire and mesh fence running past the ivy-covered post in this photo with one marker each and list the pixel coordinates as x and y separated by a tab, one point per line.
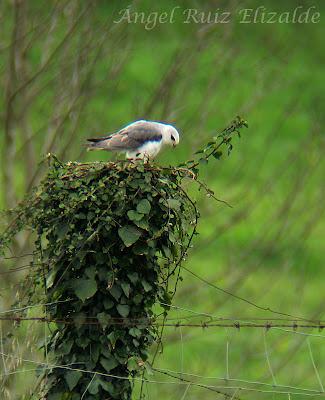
227	386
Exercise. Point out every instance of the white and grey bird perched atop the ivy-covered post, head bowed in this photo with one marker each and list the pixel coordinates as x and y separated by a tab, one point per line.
141	139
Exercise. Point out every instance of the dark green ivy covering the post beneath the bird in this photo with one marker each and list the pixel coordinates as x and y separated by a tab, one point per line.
110	238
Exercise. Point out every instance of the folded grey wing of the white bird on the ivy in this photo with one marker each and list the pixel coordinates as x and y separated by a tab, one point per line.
134	136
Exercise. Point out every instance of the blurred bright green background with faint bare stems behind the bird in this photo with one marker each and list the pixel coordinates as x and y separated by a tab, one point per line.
70	70
